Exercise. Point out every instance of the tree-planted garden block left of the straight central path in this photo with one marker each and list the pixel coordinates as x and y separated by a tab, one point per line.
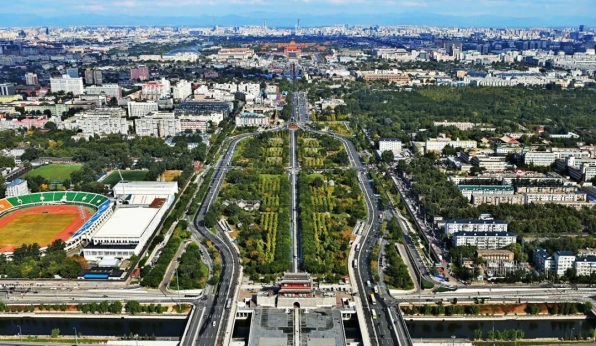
264	233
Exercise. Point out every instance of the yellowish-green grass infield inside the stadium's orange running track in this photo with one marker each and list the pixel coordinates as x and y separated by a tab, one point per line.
25	228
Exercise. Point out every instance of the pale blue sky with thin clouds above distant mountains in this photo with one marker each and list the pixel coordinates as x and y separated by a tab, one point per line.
511	9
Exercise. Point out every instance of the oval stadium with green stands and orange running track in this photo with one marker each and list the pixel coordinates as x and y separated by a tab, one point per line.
45	217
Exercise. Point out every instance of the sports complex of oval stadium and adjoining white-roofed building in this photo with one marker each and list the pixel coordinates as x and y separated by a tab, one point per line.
103	228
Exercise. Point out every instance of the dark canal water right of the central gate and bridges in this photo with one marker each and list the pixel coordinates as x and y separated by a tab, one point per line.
465	329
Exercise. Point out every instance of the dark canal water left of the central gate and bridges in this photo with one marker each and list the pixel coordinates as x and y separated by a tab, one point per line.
93	326
